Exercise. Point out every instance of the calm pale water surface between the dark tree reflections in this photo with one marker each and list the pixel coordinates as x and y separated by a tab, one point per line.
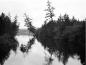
34	57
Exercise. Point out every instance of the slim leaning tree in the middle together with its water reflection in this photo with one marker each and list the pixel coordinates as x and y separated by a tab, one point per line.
32	30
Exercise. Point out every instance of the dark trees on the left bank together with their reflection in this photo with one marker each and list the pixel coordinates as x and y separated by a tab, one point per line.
8	31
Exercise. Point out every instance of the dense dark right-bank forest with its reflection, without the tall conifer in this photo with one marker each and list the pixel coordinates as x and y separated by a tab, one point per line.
64	37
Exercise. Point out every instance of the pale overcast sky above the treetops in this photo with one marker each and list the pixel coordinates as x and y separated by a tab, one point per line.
35	9
